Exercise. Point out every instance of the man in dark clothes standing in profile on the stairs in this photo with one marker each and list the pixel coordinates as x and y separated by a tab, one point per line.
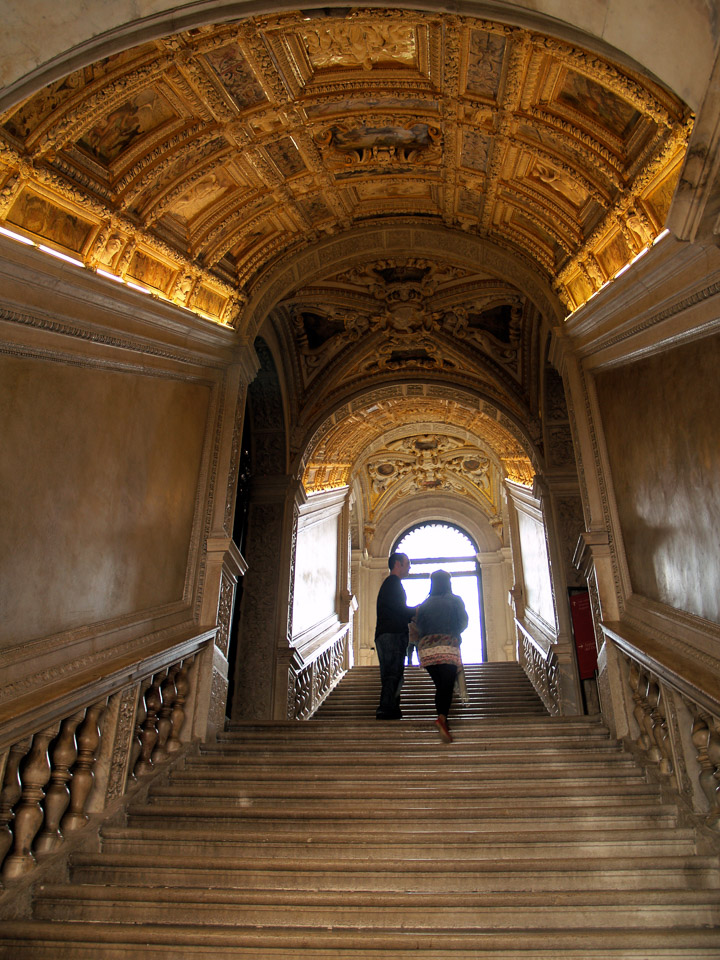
391	636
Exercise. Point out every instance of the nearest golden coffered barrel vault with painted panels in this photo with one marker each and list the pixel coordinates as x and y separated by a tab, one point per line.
189	165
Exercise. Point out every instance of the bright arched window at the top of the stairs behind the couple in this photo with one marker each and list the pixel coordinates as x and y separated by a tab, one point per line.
434	546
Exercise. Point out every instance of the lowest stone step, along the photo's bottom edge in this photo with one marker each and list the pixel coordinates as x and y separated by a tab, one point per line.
35	940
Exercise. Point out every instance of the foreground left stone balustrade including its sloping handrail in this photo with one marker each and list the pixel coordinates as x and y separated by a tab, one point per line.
77	753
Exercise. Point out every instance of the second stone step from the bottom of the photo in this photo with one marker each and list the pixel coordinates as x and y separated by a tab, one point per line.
366	910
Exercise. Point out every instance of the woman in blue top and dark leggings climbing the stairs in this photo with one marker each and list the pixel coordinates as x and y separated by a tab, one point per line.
440	621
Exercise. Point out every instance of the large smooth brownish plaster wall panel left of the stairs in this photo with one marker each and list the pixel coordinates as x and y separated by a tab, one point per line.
98	481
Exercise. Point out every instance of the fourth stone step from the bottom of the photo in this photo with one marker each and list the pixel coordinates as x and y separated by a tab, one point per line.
158	838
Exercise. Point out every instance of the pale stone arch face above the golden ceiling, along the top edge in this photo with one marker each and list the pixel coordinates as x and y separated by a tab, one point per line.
74	33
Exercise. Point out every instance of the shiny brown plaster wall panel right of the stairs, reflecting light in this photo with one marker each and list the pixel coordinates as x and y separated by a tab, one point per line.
667	487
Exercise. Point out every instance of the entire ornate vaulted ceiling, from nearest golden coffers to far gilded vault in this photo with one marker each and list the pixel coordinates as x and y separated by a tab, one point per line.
200	165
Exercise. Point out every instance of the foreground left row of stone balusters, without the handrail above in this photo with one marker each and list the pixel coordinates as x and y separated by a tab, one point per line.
80	764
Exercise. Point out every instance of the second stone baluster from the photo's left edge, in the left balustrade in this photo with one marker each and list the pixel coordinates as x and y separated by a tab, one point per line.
34	774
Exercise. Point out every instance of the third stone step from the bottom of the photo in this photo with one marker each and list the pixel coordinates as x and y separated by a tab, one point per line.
258	873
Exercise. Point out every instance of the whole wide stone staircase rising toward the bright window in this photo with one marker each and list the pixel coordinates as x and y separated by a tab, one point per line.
529	837
